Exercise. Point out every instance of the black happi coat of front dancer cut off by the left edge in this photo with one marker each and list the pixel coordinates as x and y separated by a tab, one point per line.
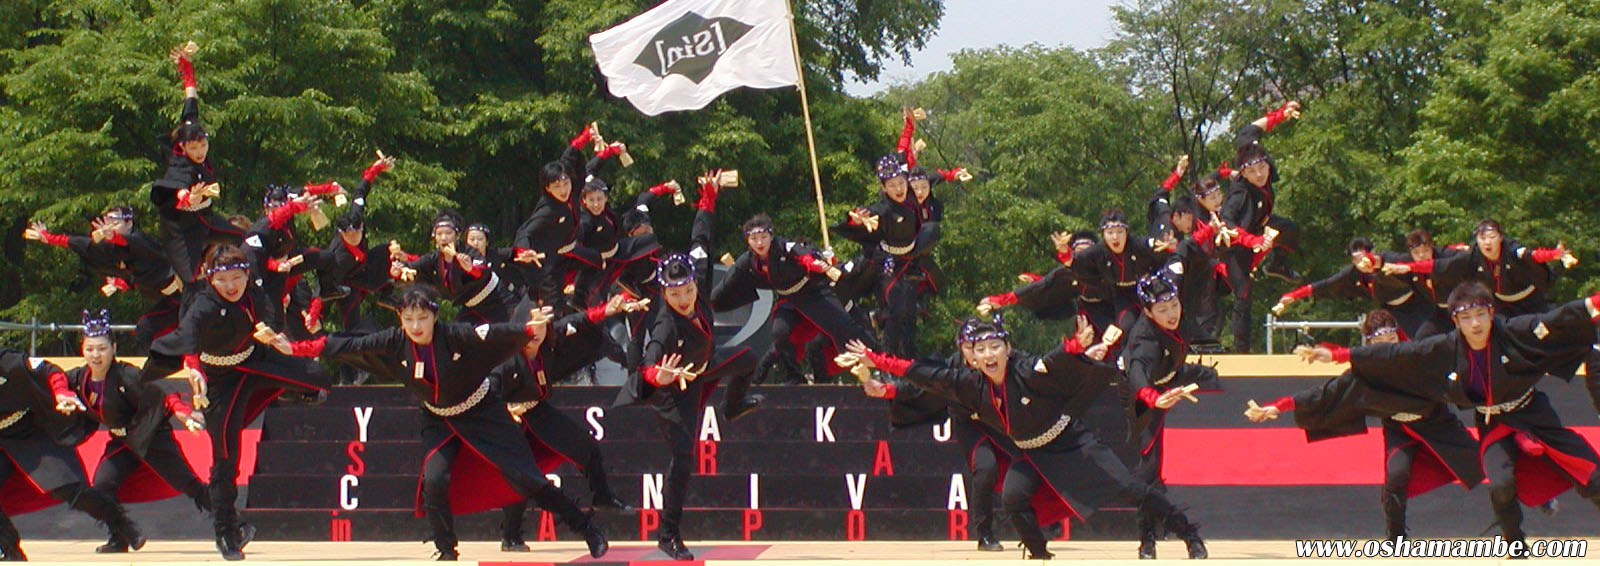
41	442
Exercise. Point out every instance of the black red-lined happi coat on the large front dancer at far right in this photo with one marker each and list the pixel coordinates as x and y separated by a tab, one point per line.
1521	353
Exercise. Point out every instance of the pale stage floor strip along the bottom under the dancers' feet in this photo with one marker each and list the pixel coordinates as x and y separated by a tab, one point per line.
798	554
